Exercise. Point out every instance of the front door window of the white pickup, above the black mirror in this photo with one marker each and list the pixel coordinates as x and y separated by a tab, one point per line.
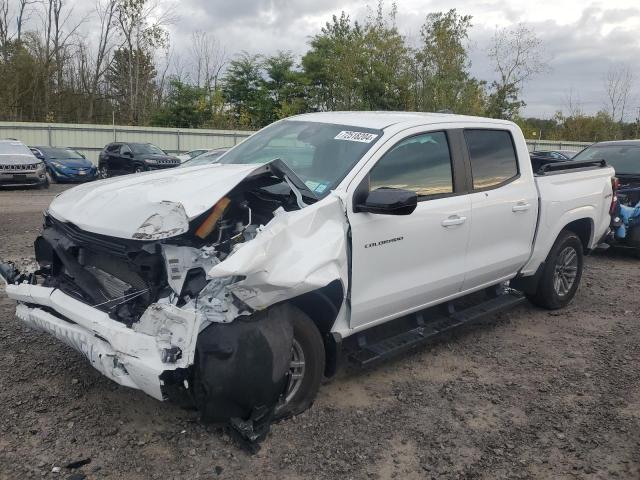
421	163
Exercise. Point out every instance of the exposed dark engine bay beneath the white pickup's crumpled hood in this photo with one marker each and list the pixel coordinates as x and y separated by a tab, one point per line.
123	277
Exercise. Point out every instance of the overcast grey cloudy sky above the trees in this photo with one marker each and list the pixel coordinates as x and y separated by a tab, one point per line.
582	39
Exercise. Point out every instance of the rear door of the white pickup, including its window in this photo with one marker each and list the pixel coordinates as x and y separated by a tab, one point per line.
504	207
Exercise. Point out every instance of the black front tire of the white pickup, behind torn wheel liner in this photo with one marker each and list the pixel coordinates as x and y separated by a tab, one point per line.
307	338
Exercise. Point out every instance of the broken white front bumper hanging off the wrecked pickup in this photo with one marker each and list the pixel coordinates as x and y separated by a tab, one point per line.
128	356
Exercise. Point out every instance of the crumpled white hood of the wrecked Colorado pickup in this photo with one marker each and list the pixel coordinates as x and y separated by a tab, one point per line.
151	205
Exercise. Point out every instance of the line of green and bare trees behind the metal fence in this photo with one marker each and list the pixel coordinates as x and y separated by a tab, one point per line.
349	65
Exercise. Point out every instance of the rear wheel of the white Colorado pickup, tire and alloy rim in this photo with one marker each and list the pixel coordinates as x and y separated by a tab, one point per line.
554	291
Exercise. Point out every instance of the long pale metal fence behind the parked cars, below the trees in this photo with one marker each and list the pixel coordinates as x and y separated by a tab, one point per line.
91	139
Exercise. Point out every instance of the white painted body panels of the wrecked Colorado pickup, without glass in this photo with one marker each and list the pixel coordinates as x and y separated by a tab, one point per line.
298	252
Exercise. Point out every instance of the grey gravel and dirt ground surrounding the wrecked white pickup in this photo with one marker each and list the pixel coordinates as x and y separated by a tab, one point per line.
529	394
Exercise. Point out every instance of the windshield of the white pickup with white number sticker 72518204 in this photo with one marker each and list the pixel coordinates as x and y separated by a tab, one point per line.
321	154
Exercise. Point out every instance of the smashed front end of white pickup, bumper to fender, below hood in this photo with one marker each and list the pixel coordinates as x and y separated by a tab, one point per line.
189	304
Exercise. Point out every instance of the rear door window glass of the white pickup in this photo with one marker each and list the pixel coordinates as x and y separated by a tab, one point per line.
493	157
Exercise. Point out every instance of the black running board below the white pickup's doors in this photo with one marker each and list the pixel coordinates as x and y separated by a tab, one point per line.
368	354
